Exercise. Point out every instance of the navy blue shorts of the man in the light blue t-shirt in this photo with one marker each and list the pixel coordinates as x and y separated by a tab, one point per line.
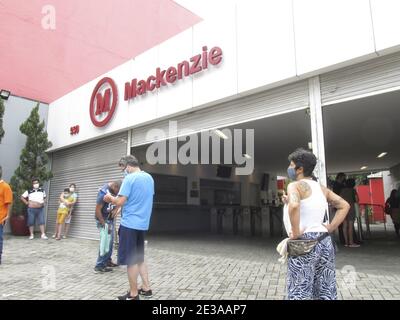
131	246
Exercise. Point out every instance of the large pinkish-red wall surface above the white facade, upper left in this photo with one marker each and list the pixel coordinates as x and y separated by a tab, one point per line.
90	38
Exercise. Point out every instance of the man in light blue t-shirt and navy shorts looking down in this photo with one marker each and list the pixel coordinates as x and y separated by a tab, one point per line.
136	199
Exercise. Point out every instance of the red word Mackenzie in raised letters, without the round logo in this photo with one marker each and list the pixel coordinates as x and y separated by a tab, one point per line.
162	77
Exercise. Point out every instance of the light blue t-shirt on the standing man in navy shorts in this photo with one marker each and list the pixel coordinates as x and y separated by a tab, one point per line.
138	188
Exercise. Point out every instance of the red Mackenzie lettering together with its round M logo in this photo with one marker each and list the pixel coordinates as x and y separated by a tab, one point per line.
105	96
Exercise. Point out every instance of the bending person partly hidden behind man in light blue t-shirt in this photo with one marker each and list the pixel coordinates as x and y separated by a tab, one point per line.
105	213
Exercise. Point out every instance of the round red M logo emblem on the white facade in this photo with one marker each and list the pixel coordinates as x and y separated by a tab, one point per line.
103	102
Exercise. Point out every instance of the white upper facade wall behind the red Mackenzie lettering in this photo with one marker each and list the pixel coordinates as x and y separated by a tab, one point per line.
265	43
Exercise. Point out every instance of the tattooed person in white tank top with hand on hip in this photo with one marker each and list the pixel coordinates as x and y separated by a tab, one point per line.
311	275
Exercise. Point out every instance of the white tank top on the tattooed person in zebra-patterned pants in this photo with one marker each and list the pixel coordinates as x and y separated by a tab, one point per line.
312	210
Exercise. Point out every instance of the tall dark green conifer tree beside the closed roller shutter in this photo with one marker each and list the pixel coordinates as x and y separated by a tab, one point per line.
33	159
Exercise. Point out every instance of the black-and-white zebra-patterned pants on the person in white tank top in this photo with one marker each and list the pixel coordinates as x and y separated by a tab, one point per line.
312	276
